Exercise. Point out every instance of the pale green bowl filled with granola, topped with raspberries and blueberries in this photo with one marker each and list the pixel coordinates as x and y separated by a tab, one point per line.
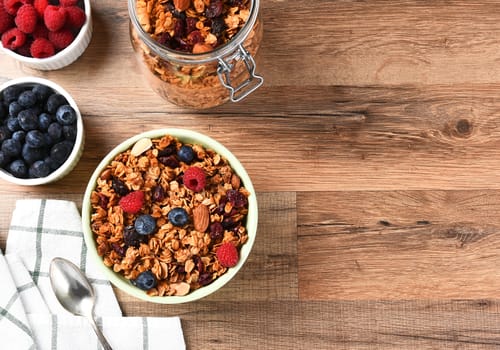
170	216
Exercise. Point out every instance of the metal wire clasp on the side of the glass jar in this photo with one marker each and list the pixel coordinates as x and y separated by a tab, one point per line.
249	85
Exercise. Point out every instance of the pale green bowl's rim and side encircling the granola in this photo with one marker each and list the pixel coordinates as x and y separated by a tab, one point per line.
251	221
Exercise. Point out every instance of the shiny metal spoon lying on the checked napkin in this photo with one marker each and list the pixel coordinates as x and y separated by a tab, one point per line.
74	292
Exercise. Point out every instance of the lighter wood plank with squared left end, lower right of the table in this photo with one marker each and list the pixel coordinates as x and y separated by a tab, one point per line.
398	245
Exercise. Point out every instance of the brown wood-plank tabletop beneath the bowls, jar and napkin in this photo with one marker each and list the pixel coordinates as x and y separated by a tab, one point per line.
374	147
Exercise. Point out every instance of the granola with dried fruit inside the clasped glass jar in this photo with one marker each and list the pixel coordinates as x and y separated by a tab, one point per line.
195	85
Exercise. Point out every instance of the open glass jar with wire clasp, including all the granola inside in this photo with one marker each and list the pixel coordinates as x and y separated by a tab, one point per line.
197	53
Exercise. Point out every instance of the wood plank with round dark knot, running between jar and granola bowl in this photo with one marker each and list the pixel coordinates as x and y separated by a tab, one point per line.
372	138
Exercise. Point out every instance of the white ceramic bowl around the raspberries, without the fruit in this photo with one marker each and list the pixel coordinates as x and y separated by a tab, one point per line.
64	57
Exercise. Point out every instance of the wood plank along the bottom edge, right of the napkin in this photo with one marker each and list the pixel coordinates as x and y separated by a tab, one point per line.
423	324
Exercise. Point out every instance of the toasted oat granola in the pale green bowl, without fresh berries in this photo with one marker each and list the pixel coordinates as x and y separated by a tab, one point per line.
182	258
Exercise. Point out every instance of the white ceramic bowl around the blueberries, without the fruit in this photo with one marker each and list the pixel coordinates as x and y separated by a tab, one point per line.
77	151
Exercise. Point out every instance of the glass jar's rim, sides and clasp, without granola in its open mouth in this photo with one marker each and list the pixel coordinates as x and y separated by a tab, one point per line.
199	80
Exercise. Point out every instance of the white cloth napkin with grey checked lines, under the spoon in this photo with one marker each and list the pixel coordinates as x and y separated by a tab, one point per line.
30	315
